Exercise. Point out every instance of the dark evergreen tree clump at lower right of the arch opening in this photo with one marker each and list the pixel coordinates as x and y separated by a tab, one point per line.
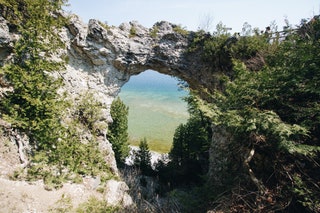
189	153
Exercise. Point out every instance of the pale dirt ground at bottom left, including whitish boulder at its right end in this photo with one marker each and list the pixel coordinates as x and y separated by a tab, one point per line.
25	197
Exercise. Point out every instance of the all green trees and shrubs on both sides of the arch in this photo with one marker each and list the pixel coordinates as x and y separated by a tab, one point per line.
266	98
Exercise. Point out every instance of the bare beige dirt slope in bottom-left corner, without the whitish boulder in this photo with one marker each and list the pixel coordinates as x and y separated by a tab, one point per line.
24	197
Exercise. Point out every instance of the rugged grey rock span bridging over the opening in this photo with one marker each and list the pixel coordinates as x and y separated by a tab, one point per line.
116	53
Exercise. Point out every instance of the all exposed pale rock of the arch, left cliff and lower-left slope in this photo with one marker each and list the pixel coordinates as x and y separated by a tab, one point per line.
101	60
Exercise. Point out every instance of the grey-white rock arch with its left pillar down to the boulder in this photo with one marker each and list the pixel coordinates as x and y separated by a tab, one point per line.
101	60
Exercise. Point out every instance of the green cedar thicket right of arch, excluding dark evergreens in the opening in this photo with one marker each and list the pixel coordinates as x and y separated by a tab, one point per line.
268	100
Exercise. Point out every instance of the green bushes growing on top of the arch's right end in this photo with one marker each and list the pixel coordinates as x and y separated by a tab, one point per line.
220	48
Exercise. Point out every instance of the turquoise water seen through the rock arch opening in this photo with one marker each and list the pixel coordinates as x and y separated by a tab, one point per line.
155	109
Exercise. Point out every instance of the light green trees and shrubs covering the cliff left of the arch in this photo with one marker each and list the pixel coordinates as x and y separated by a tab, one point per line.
58	152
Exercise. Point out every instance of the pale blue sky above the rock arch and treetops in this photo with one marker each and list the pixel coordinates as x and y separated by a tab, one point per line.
194	13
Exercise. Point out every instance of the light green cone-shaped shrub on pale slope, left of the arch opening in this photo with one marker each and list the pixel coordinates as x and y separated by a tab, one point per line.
72	155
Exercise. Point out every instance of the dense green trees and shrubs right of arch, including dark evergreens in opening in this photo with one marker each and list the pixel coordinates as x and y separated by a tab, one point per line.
267	102
